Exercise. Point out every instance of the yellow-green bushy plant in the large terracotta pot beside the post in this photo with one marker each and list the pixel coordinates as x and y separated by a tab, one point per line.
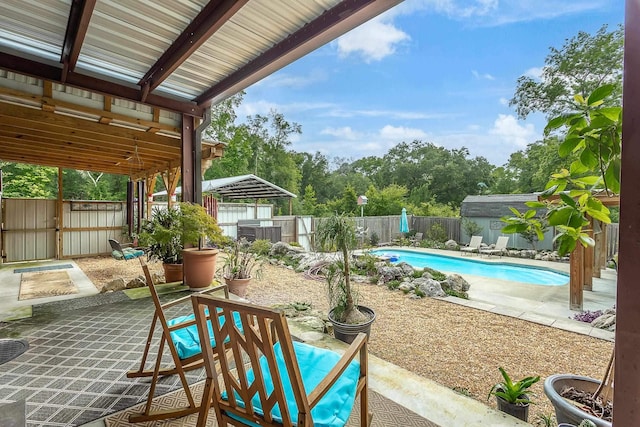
198	229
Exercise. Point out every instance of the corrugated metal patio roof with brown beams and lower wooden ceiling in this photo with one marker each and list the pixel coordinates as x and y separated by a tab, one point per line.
104	84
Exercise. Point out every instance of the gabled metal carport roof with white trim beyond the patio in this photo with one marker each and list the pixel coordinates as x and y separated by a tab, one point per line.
240	187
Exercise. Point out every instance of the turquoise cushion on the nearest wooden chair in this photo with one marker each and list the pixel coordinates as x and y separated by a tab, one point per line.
315	363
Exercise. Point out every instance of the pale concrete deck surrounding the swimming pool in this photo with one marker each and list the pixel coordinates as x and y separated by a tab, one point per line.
546	305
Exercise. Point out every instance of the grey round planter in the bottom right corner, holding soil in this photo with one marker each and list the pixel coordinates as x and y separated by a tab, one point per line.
565	411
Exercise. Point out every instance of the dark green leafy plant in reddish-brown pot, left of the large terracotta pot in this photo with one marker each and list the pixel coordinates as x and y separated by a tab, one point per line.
162	235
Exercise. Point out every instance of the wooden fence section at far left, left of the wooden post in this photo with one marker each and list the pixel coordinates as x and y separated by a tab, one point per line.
28	229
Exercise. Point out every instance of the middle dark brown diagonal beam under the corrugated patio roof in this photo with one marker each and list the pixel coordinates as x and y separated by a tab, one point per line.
213	16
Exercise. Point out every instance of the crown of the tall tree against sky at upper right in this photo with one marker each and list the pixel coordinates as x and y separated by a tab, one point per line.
584	63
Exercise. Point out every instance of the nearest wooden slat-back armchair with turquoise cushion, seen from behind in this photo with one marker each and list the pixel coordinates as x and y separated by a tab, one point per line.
284	383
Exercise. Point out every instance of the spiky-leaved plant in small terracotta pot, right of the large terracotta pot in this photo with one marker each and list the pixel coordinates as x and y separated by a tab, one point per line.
240	266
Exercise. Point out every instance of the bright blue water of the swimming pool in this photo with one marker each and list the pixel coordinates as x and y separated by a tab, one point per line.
517	273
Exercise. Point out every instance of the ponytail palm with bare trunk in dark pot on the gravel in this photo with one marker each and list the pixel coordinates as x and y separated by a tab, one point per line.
338	232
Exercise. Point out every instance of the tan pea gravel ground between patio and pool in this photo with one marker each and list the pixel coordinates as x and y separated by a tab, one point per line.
453	345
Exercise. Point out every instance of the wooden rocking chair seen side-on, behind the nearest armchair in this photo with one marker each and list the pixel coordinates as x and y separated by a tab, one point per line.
181	337
